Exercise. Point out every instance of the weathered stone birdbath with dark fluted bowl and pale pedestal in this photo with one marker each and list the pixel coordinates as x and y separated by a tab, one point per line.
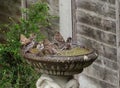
58	71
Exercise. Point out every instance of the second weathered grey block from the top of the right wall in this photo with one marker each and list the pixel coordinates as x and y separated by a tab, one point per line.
90	19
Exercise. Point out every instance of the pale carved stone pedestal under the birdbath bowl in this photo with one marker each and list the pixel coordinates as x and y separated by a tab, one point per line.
50	81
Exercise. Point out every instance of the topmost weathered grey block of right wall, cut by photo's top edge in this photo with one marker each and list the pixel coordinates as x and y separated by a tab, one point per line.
97	7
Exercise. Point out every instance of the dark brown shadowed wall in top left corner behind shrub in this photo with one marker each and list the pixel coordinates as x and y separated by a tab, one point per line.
8	8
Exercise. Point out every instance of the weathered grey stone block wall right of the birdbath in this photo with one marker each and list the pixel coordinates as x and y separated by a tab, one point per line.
96	26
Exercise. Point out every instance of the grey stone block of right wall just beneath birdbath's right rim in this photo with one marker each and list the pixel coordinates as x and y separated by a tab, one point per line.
100	72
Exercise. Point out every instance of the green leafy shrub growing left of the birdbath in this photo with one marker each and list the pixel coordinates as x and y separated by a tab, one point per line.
14	71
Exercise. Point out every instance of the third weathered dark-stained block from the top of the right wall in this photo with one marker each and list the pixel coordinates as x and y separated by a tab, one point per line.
96	34
